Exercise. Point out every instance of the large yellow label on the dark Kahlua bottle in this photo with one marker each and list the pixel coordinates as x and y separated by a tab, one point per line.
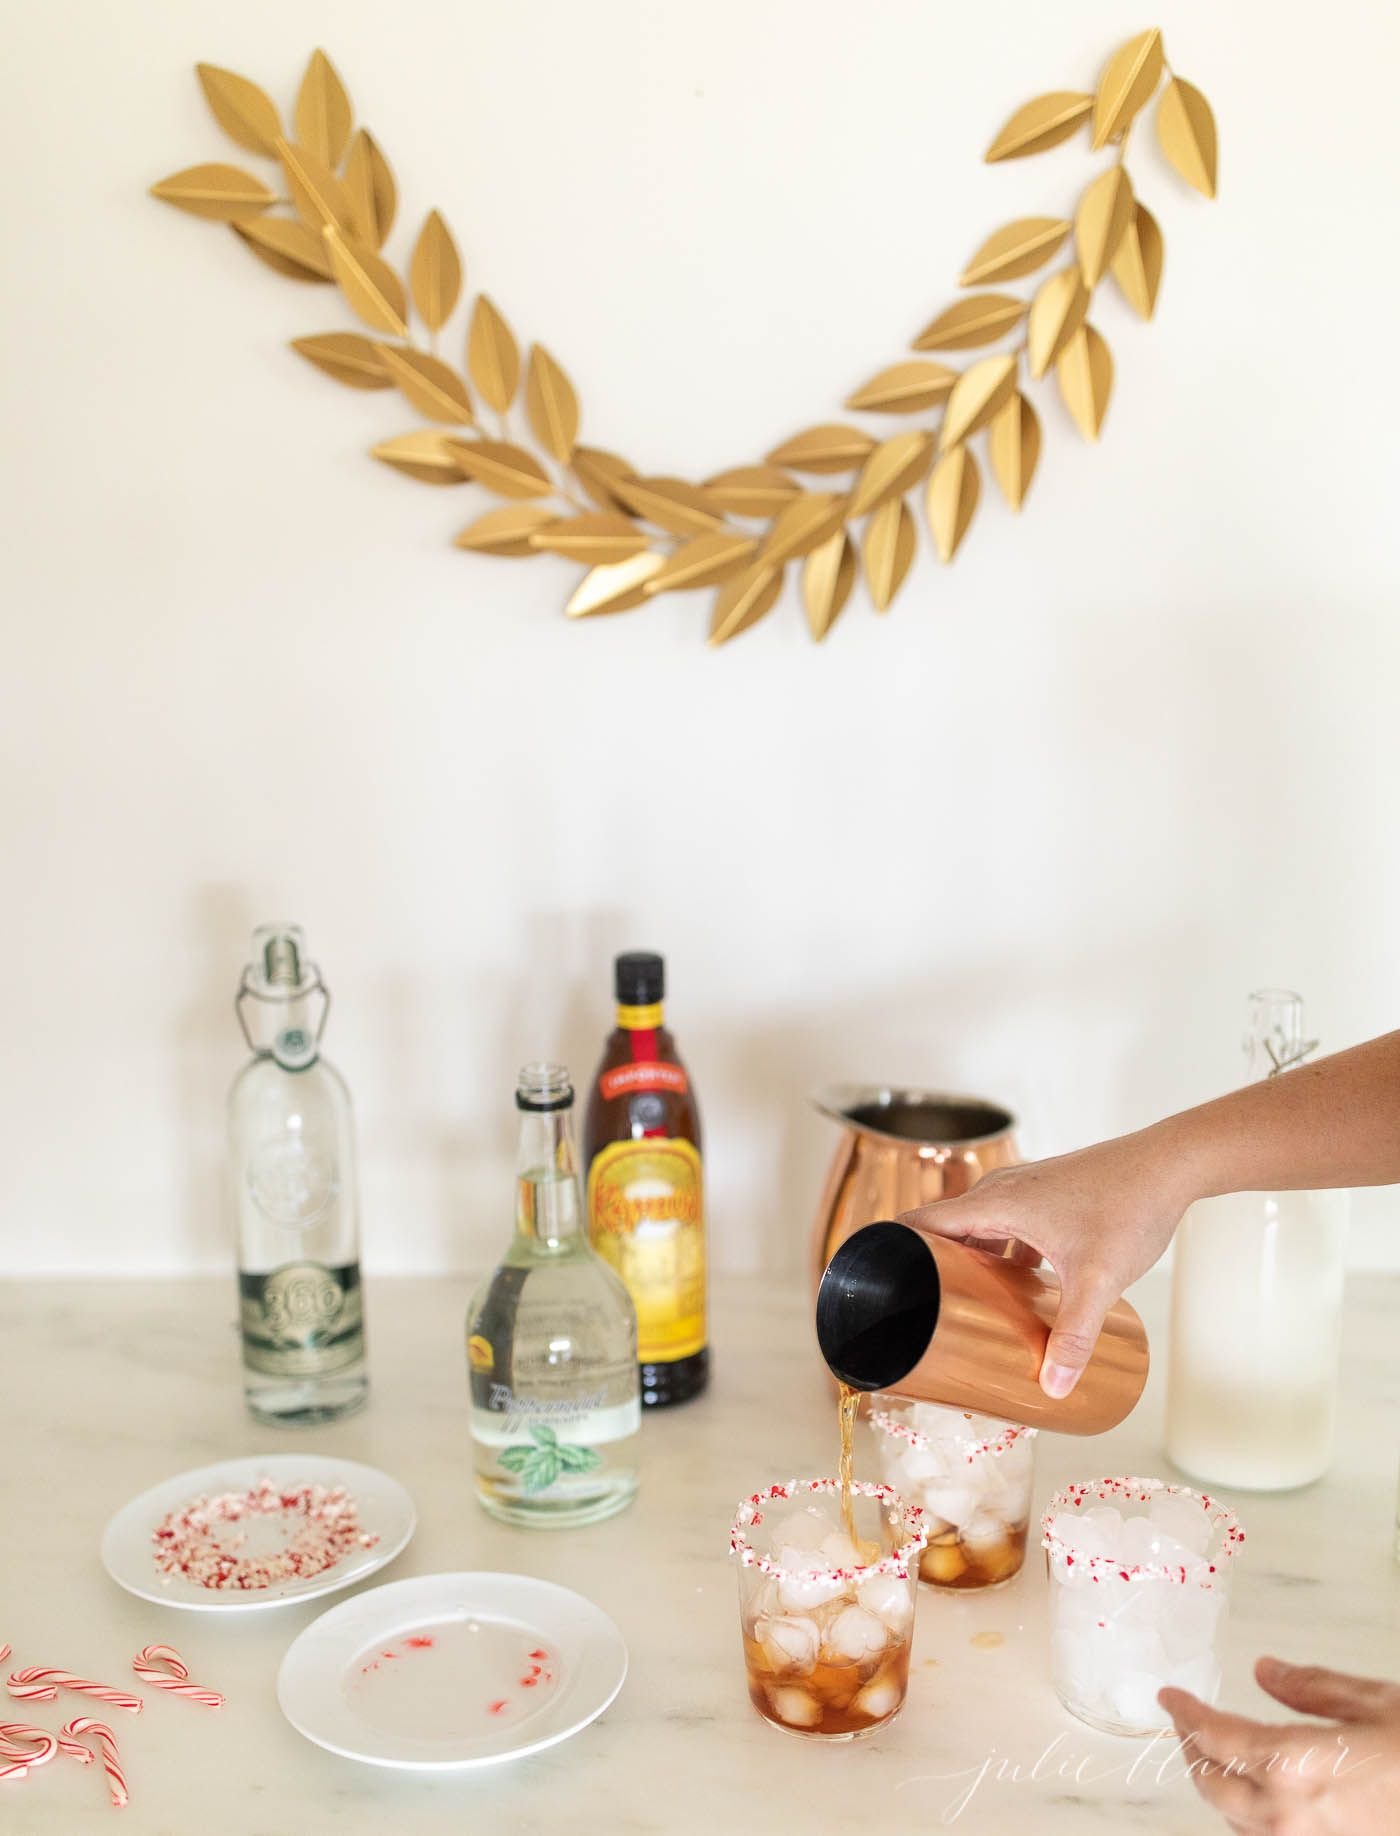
647	1218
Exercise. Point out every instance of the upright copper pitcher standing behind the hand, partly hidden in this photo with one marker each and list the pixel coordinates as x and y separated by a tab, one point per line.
902	1150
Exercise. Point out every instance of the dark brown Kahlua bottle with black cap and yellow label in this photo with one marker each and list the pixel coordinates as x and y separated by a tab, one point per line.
647	1192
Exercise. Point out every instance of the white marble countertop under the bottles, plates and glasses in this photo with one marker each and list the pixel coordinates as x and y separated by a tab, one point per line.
111	1387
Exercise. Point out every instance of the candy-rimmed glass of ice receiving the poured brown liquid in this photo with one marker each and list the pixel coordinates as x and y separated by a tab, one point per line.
827	1618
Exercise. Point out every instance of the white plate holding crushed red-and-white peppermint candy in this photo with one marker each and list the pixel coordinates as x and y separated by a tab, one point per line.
260	1532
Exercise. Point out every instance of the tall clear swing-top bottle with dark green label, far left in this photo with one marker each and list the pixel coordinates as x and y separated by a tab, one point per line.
294	1196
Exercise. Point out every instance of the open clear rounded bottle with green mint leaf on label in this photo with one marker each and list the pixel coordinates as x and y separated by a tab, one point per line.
551	1343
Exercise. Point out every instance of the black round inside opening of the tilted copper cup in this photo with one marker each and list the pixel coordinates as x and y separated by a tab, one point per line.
878	1306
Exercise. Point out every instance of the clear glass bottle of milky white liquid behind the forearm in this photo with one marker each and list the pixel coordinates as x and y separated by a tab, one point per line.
1256	1310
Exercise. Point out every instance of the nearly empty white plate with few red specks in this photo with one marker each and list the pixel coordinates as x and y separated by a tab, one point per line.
452	1672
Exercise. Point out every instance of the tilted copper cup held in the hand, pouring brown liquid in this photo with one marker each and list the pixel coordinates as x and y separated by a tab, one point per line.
931	1319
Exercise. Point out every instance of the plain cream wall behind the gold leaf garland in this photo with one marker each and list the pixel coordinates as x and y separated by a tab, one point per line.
1032	834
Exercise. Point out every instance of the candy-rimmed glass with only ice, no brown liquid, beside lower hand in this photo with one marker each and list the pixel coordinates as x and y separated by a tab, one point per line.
1140	1584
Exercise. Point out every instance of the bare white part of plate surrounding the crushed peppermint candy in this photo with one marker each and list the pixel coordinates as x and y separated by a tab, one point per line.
384	1508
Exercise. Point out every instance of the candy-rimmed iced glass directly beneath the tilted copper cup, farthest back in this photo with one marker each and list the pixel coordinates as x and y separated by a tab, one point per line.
973	1477
